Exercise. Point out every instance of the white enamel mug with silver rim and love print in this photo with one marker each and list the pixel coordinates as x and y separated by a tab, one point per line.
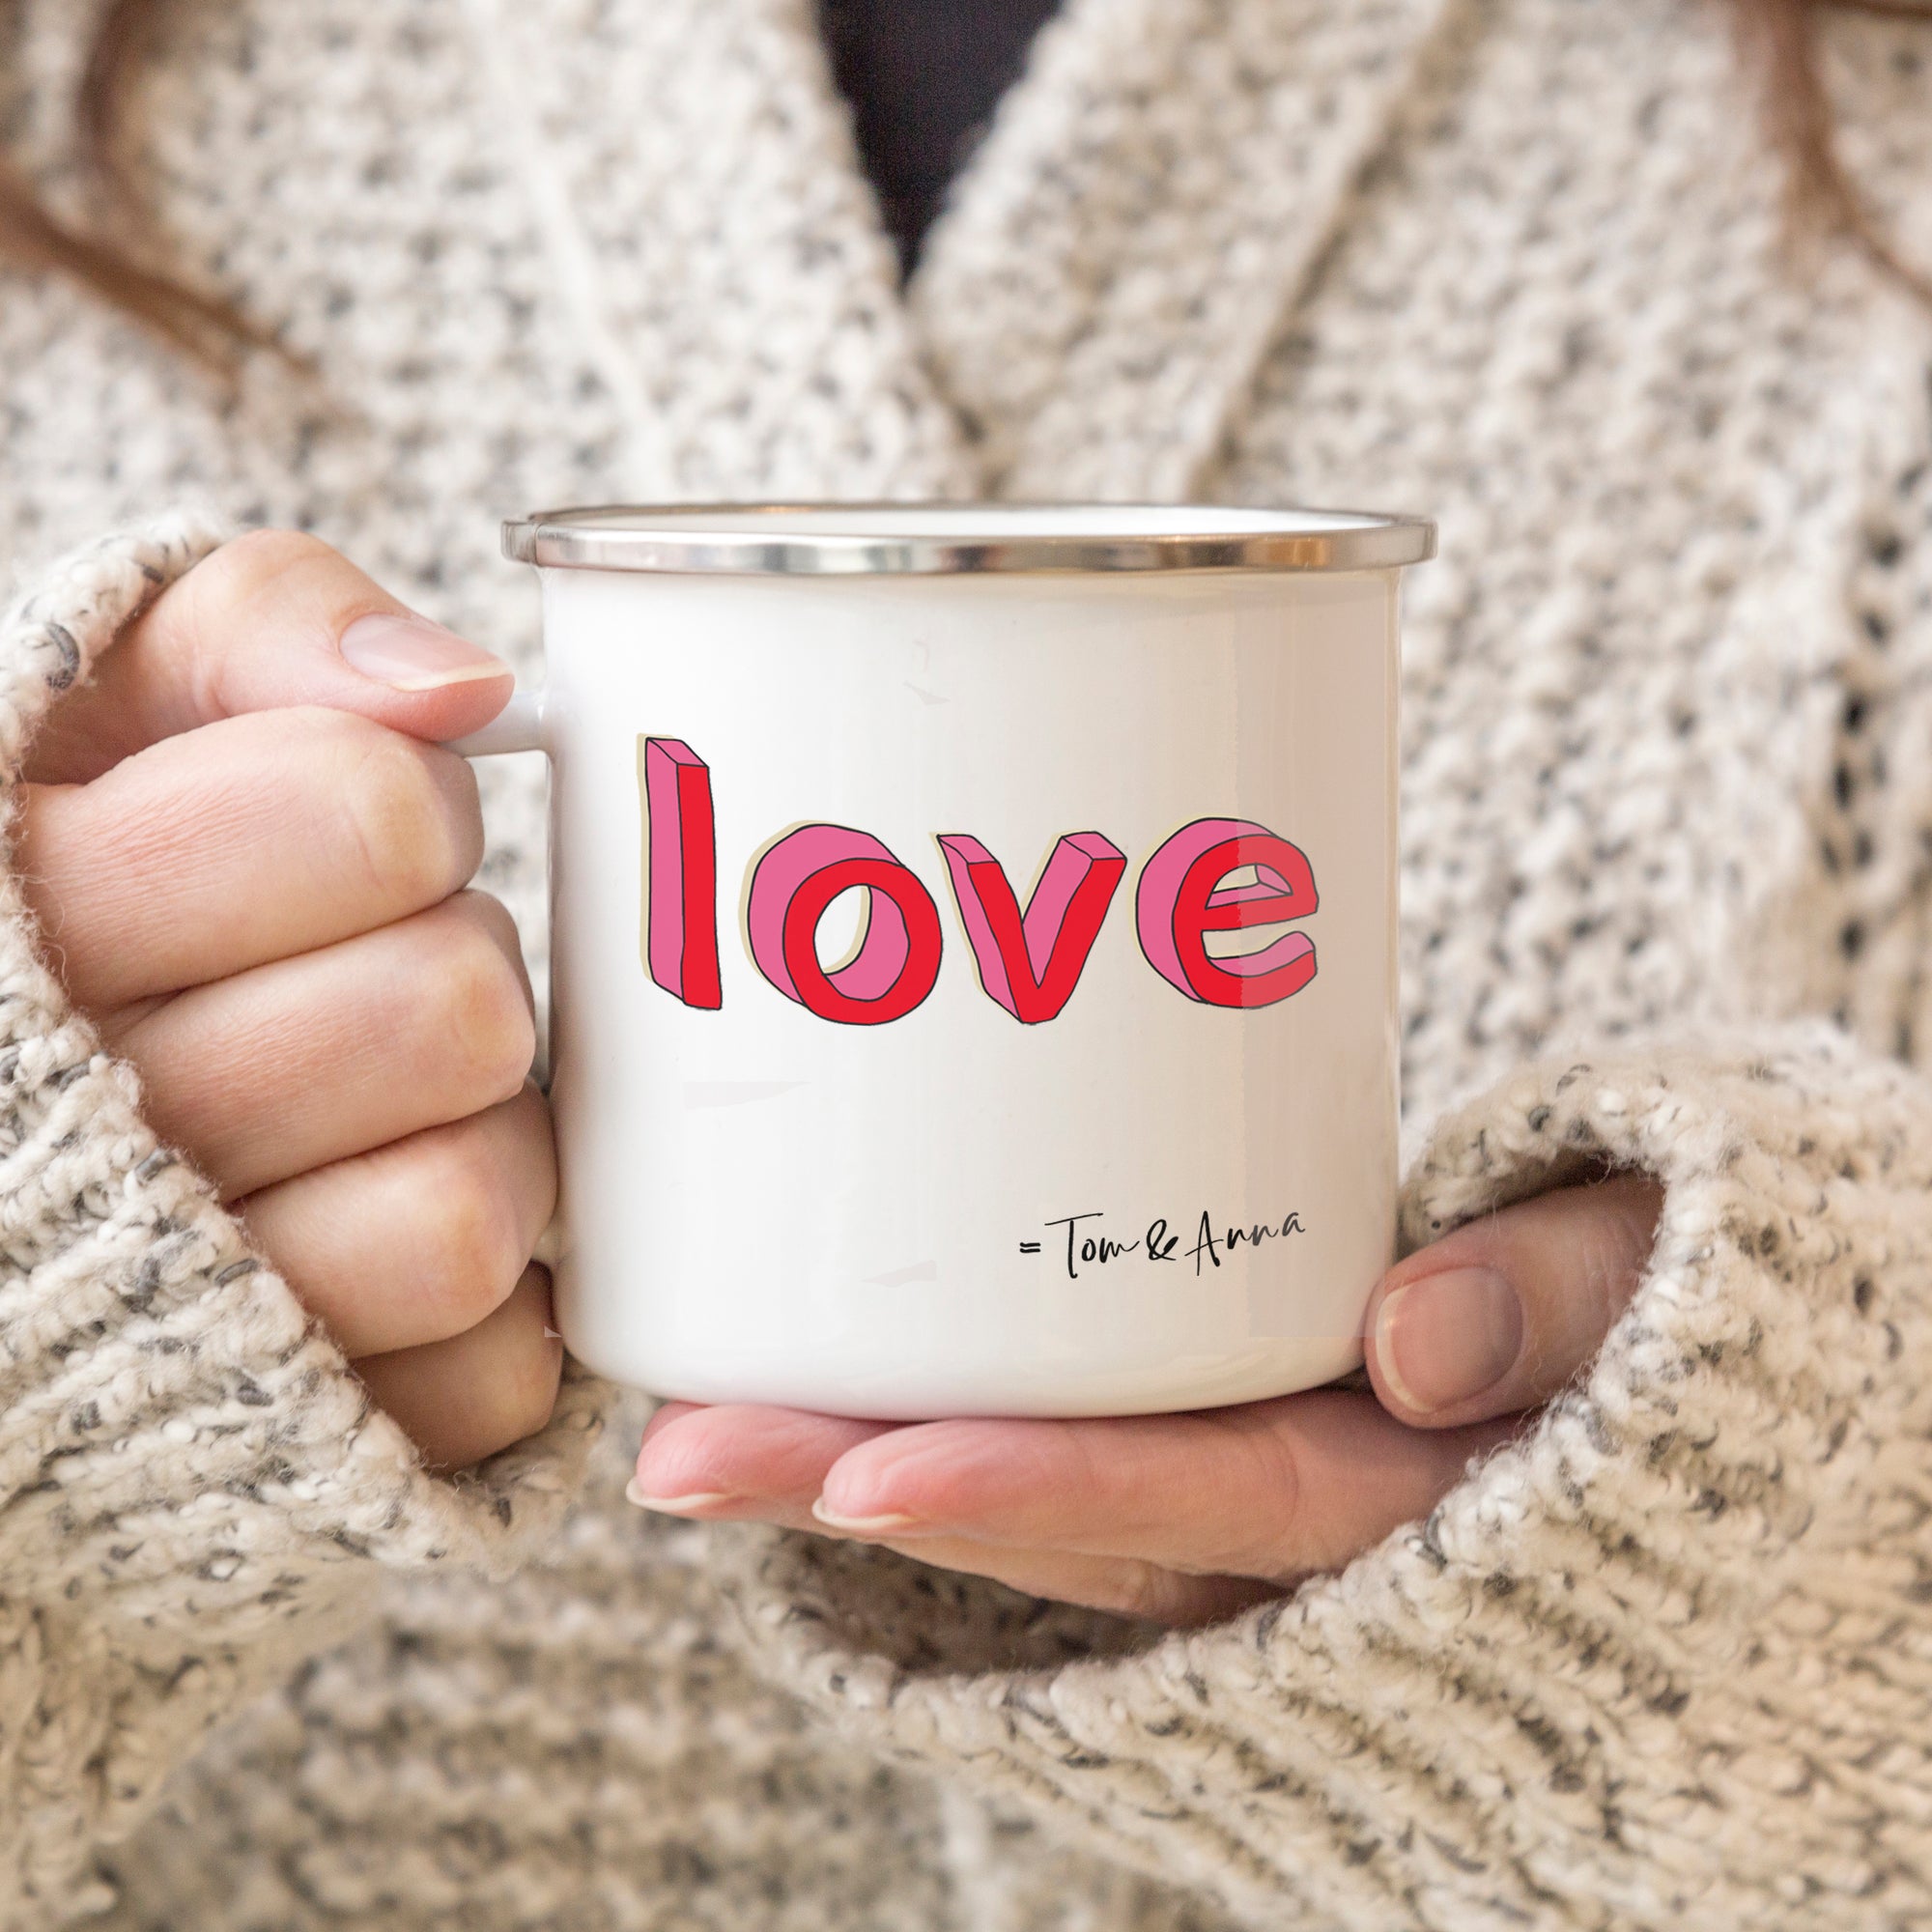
973	950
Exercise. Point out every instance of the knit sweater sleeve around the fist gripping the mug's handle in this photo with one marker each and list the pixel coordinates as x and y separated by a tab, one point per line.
194	1487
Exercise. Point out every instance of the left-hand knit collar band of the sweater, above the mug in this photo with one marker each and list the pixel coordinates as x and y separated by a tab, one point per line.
693	181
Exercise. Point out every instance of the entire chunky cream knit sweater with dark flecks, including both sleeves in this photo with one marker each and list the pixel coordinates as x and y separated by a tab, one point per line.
1668	882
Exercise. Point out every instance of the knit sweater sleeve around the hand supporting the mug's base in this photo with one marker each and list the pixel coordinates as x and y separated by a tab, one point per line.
1664	1661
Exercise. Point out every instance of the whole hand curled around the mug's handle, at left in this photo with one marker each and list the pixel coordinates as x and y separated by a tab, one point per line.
248	865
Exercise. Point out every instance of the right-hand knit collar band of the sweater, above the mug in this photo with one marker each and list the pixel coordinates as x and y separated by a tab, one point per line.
1152	200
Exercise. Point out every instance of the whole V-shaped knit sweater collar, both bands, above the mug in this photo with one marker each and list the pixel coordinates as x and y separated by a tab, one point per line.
1154	194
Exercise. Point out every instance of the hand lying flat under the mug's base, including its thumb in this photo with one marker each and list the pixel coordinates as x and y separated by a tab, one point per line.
1191	1518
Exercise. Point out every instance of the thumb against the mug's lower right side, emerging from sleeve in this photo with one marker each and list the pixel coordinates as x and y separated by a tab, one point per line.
1504	1313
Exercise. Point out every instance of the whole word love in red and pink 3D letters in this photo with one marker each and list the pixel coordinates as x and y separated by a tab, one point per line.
1214	876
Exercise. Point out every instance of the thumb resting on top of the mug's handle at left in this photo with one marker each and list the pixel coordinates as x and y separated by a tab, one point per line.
268	623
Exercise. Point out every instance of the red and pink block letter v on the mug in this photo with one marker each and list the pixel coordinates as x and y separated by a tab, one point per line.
1033	965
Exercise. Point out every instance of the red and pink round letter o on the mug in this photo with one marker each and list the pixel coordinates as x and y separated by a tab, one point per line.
793	886
